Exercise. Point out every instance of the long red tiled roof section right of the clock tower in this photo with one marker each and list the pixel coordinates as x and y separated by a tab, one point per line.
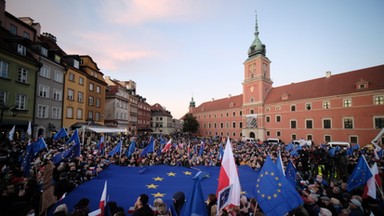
344	83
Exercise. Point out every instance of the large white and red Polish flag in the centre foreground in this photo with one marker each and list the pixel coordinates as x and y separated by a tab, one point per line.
229	176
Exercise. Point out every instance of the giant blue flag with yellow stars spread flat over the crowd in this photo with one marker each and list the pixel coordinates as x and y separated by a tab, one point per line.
125	184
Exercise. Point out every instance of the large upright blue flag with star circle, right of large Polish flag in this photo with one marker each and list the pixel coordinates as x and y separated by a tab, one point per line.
274	193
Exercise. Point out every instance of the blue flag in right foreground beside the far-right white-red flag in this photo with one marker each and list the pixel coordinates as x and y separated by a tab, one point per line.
360	174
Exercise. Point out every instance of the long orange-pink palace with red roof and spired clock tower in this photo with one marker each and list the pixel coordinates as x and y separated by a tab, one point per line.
343	107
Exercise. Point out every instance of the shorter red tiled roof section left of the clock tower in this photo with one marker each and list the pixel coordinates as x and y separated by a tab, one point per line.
221	104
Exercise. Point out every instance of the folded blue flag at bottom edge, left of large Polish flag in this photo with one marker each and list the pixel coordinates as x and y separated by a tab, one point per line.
195	202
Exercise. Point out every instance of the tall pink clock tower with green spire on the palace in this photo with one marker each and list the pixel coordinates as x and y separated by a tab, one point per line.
256	86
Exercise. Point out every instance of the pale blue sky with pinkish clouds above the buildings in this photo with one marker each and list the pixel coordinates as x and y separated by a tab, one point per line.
178	49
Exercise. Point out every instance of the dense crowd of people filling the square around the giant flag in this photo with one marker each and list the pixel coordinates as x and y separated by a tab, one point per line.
321	180
